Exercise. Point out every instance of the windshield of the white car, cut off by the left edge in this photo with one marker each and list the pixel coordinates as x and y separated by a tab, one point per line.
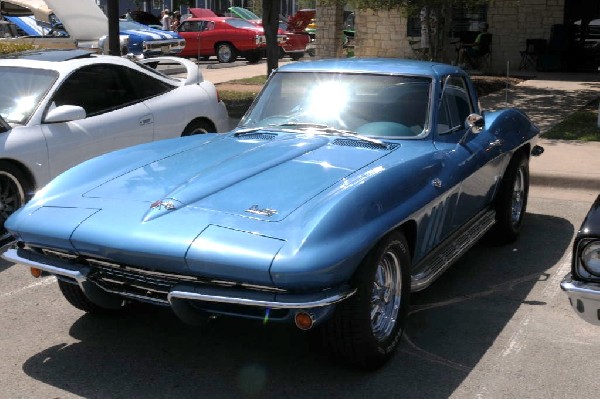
22	91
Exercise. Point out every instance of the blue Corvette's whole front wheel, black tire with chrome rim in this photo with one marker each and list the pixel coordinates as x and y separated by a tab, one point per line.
365	330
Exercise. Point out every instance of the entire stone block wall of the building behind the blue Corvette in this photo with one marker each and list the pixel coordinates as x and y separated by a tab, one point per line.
383	33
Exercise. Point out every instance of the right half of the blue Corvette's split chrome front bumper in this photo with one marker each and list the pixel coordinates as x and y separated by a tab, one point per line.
276	304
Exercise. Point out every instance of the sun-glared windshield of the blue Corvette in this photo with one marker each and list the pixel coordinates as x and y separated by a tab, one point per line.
369	105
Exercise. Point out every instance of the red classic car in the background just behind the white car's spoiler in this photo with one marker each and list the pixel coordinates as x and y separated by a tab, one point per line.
225	37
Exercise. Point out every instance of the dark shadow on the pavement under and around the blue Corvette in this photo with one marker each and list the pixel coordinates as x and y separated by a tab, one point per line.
147	352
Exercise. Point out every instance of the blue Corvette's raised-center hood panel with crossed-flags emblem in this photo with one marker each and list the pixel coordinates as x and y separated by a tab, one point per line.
263	176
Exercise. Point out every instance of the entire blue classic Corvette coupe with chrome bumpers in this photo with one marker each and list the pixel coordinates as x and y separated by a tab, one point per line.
348	184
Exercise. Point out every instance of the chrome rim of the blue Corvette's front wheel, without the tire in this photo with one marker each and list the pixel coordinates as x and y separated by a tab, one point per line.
385	296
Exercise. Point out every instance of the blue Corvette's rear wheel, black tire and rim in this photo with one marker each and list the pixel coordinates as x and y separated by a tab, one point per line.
511	202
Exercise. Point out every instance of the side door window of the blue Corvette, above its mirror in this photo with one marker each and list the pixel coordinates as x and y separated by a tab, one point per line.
456	106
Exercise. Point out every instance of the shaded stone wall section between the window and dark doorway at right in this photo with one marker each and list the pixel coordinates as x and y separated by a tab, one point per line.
512	22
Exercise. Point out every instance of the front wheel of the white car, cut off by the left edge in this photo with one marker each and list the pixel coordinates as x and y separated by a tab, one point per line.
15	191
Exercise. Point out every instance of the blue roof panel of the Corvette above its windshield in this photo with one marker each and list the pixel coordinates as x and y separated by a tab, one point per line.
391	66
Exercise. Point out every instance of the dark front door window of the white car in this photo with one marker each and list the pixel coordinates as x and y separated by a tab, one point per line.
97	88
